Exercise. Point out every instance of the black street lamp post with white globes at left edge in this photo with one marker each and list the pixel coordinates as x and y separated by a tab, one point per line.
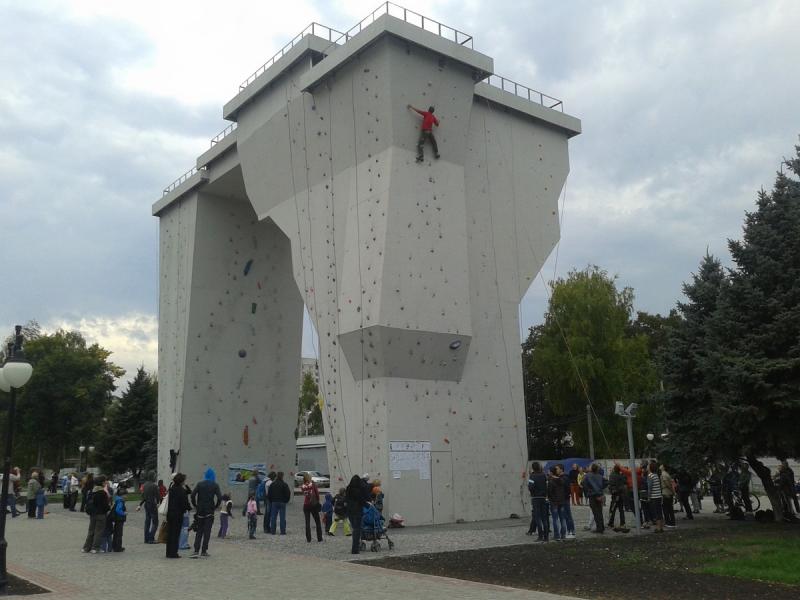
14	374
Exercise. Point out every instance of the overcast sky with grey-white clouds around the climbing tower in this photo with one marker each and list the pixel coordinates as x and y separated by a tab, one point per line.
688	108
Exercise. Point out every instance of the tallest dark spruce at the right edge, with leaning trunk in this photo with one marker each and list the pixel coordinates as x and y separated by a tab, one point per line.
757	330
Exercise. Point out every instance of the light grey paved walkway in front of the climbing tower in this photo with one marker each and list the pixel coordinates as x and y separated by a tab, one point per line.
48	553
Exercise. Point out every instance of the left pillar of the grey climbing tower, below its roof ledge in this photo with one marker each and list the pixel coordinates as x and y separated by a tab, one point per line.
238	322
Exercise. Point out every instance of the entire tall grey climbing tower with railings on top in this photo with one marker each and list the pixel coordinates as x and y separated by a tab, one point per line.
412	273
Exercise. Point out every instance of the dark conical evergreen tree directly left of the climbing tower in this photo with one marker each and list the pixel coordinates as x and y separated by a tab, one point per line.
126	438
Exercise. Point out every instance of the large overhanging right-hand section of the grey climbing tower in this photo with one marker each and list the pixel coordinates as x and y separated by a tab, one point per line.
412	272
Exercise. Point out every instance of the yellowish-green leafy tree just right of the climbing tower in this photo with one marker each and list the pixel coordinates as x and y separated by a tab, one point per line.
584	354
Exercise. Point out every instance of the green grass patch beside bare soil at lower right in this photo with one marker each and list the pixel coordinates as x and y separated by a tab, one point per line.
756	557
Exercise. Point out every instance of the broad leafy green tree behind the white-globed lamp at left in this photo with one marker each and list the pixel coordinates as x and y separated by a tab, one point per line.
63	404
